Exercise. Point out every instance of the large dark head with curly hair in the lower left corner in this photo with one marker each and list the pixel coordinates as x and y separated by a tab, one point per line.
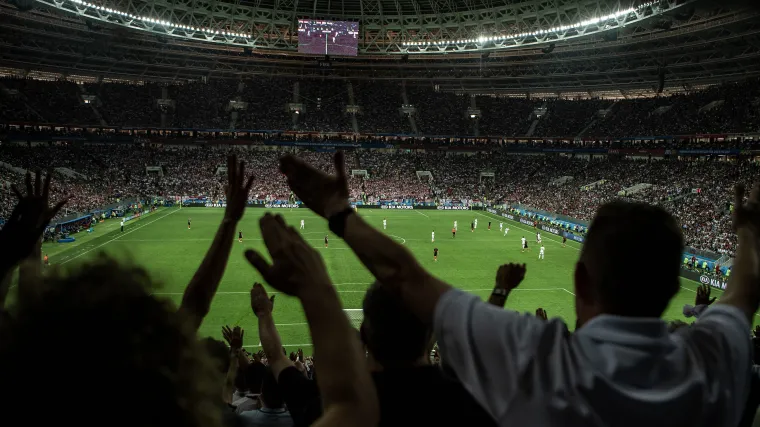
96	330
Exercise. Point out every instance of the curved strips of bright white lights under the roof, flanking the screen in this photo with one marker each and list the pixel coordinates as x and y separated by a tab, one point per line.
480	41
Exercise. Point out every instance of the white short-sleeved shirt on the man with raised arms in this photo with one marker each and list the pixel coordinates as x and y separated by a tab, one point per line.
614	371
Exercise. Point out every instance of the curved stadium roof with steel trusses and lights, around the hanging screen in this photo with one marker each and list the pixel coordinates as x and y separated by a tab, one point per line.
583	47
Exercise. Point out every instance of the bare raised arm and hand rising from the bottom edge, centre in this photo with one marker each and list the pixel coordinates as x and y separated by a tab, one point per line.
342	374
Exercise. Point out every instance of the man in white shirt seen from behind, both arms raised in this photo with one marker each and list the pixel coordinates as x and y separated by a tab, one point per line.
621	367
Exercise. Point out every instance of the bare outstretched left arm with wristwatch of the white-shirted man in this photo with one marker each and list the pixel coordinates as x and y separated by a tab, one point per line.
391	263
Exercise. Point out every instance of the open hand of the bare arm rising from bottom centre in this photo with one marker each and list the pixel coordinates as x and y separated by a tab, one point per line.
296	267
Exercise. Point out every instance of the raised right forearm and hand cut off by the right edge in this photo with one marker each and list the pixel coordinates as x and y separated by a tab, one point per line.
743	289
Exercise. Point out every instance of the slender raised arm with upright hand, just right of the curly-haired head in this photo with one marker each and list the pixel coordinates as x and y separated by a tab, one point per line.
196	302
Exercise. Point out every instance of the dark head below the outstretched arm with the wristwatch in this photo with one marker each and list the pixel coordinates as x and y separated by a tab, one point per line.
393	336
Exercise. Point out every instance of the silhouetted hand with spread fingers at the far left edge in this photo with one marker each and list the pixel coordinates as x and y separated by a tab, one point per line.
28	220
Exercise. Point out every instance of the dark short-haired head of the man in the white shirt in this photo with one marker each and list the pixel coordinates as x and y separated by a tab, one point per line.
630	262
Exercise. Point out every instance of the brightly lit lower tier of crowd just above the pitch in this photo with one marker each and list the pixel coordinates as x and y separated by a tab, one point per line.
696	192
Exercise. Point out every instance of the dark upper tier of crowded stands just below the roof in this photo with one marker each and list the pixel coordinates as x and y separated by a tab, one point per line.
264	103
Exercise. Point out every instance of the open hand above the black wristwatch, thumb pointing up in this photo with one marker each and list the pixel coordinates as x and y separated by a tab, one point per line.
324	194
